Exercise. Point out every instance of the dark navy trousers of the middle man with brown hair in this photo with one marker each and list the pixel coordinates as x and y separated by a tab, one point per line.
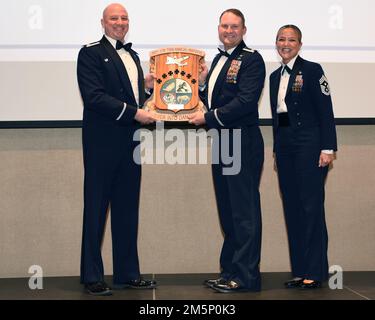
239	208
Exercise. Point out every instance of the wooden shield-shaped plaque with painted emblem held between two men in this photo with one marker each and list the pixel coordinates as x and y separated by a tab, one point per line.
176	89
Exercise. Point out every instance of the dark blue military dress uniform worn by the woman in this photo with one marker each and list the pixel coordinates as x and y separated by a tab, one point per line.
299	137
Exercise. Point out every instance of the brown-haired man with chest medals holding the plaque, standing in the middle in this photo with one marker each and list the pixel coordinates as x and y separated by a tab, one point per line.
231	90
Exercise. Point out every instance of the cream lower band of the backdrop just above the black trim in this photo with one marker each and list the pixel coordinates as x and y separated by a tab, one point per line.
49	90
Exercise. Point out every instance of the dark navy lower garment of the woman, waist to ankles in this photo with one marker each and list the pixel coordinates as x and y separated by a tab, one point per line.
302	187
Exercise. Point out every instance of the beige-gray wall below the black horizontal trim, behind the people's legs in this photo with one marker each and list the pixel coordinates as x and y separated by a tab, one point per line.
41	208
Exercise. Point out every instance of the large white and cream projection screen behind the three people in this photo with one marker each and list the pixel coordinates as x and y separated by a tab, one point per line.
40	40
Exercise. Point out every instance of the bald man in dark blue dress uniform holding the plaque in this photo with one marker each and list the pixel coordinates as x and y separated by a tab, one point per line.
113	88
